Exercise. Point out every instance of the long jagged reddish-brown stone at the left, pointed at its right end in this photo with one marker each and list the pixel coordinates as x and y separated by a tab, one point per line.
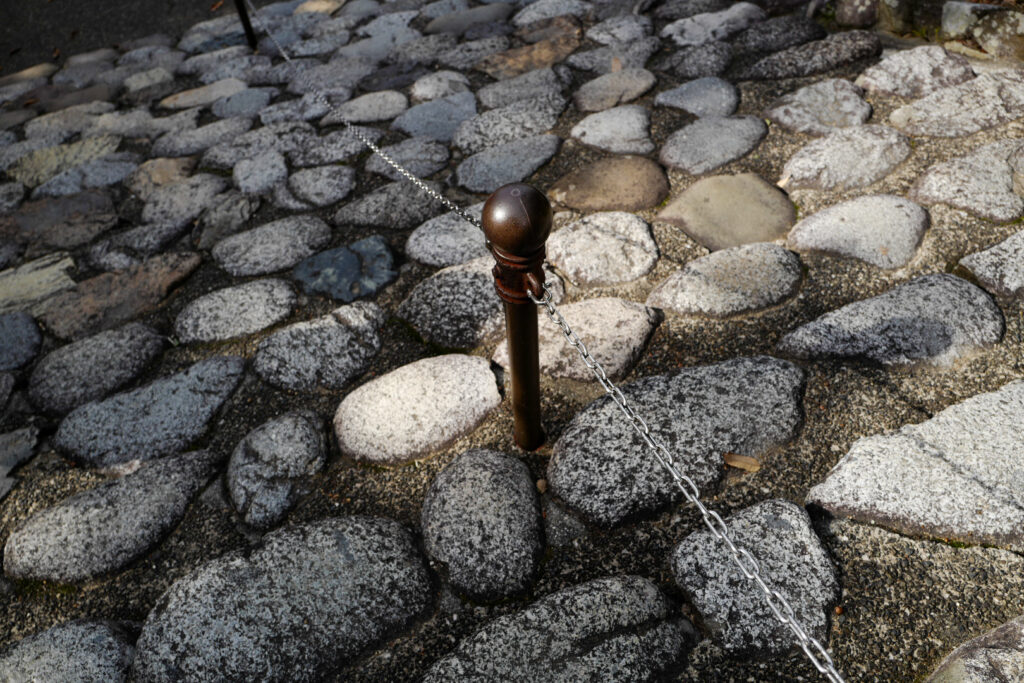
113	298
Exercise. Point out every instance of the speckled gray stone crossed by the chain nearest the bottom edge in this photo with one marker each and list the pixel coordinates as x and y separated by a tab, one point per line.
792	561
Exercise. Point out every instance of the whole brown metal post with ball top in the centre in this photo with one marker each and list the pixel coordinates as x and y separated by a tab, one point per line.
517	223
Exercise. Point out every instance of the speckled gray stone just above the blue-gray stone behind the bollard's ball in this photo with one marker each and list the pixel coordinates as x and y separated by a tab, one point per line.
513	122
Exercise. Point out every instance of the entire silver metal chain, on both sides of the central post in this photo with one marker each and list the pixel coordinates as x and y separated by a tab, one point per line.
748	565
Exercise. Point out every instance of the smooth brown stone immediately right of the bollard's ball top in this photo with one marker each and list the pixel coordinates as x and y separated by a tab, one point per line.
619	184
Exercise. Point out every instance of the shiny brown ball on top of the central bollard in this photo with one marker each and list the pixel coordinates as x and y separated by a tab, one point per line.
518	220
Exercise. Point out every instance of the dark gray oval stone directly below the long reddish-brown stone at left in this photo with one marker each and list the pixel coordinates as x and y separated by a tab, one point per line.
91	369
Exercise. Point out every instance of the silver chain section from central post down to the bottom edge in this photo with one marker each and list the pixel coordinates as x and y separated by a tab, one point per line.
743	559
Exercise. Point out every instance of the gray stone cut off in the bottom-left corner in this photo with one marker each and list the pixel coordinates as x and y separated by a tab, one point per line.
74	653
